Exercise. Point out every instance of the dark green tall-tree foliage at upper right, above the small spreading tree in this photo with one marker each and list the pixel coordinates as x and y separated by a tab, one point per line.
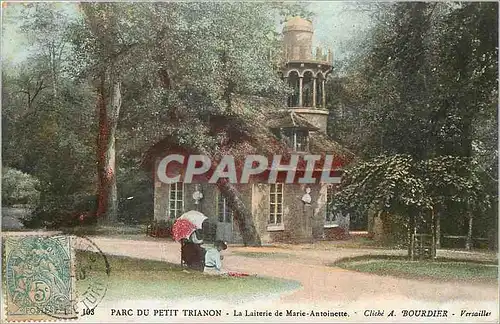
425	84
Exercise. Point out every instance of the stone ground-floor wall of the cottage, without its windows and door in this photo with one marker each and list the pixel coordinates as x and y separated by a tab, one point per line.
301	223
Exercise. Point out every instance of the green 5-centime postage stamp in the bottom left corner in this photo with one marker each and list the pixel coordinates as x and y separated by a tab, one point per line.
40	281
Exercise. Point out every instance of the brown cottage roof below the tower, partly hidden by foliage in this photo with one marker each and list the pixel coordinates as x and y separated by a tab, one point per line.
247	130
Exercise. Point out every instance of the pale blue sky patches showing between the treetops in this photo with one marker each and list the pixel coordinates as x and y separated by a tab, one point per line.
338	25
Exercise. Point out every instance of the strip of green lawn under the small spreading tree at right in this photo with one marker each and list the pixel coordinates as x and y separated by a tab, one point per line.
440	269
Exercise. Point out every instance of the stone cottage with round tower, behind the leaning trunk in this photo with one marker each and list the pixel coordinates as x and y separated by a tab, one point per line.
281	212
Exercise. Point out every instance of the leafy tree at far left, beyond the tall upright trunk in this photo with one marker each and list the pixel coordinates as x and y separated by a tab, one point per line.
47	117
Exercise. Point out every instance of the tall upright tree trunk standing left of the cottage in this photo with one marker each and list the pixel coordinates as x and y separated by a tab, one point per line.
107	209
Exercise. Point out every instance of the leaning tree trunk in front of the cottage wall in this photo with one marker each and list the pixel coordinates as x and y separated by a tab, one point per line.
242	214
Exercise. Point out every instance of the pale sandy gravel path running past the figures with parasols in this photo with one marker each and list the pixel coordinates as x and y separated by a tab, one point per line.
320	282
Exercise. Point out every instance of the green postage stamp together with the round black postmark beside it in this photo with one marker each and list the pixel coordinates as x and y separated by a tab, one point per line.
50	278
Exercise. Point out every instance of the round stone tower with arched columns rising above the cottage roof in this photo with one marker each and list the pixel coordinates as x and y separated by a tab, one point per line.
305	71
